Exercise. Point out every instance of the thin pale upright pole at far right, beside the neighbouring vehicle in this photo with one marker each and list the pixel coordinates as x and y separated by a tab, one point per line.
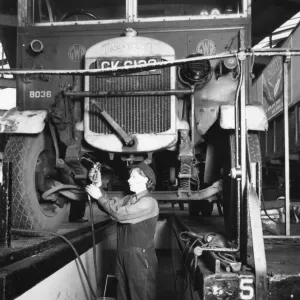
286	146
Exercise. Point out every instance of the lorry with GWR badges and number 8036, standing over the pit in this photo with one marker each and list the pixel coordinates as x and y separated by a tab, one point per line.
174	117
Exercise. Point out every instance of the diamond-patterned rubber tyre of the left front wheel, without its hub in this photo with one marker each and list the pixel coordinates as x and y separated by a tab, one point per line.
23	152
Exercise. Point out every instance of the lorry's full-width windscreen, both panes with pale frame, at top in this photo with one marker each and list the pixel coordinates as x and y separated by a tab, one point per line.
54	12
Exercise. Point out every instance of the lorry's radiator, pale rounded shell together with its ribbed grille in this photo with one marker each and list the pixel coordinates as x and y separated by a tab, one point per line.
150	120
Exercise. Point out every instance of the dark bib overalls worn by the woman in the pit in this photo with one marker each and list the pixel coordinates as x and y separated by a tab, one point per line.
136	264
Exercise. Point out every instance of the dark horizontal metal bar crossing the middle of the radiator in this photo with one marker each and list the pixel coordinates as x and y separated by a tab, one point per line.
127	93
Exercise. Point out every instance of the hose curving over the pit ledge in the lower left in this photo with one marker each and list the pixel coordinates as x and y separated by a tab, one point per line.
45	233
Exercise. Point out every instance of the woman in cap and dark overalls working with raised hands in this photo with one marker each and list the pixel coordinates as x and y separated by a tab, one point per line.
137	214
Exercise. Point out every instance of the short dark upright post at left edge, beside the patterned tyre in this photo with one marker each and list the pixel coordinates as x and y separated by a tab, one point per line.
5	205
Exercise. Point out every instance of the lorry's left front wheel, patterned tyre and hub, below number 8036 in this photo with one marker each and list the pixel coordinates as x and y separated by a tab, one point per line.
33	160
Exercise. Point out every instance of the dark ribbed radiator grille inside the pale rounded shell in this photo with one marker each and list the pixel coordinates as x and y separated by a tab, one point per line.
135	114
